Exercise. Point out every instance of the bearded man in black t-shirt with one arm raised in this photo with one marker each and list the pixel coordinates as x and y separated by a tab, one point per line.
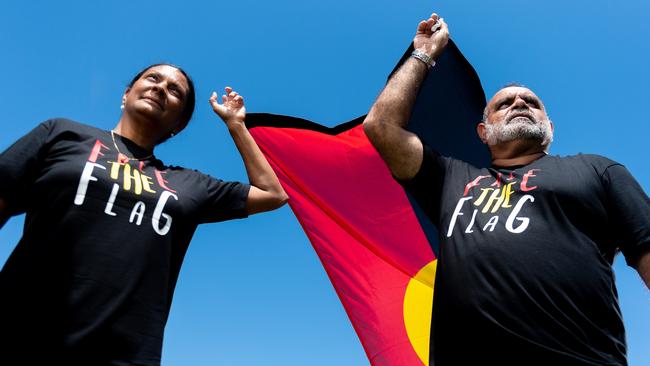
524	275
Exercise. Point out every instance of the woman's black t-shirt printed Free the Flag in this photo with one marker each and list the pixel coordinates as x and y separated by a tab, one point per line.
91	280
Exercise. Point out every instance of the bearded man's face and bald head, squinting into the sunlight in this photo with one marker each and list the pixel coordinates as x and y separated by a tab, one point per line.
516	113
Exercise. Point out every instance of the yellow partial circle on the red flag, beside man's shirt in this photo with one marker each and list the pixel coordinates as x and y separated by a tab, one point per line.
418	299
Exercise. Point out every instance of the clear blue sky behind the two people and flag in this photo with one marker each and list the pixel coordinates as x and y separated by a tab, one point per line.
252	292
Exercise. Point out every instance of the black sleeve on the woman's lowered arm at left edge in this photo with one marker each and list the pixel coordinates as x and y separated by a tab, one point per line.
20	165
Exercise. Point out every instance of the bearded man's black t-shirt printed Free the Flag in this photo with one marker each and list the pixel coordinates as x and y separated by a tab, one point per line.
524	275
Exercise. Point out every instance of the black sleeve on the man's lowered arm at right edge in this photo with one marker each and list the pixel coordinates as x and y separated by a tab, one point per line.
629	209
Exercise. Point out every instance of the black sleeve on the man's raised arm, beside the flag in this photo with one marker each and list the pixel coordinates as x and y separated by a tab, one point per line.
426	185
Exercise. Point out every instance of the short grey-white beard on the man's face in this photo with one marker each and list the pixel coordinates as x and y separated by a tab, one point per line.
519	128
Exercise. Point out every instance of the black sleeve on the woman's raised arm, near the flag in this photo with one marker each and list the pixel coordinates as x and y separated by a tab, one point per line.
224	200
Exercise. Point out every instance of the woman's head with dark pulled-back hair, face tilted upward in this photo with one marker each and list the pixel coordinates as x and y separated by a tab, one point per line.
158	97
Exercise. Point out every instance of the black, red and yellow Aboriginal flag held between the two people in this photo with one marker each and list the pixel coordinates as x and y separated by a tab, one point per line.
377	247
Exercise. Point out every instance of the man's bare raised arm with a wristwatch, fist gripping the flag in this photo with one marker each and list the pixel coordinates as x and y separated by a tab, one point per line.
386	122
